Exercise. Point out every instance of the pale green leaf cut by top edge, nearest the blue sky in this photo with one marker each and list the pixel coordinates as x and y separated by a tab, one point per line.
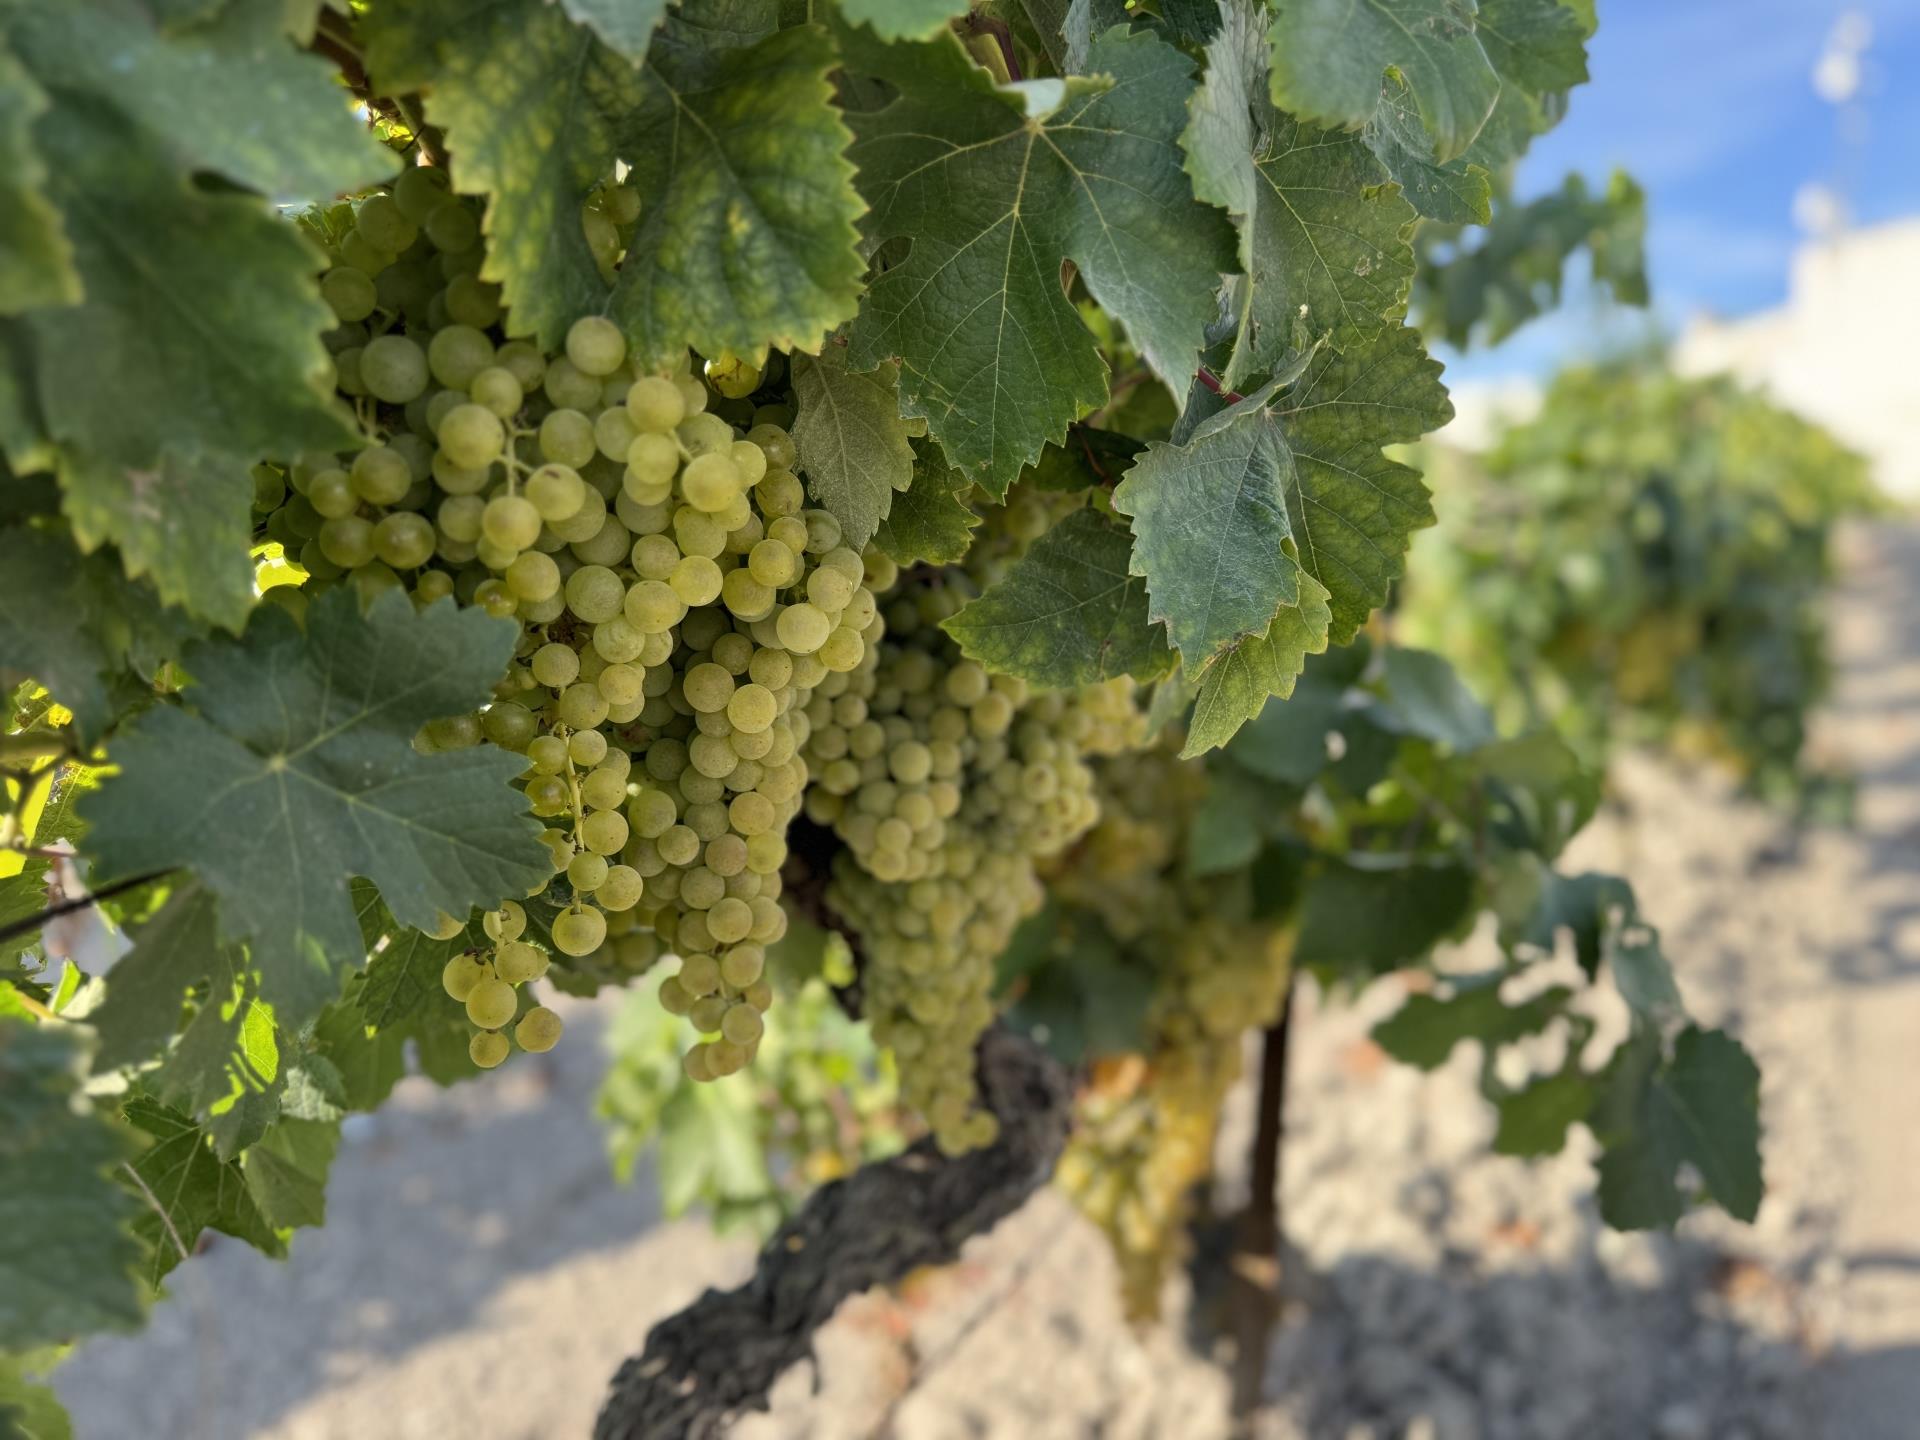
1330	59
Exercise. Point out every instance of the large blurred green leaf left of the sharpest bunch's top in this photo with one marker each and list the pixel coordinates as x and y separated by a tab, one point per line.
208	308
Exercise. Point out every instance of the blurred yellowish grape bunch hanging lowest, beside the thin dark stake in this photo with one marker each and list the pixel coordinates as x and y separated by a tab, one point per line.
1145	1136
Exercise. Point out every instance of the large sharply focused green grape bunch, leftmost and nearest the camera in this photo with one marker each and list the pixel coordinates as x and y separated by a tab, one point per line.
679	602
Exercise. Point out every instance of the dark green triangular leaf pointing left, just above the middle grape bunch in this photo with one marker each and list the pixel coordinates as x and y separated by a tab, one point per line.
1068	613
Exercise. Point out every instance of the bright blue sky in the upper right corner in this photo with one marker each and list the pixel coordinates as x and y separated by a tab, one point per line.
1710	105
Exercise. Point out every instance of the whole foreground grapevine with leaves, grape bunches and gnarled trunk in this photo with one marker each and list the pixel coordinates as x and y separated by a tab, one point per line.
646	487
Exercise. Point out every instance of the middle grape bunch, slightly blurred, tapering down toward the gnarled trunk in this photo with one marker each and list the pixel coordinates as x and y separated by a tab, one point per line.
946	786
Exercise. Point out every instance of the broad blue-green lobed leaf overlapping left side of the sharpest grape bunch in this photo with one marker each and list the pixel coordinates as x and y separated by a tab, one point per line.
295	771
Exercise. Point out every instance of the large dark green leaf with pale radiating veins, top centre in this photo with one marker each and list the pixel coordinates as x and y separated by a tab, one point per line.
996	189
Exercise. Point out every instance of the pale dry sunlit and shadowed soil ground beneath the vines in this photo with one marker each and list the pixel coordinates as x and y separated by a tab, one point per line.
481	1276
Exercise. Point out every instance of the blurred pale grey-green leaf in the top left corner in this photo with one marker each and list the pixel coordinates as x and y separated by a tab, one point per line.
110	55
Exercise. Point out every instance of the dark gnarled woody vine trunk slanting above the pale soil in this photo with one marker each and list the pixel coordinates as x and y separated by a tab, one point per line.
723	1355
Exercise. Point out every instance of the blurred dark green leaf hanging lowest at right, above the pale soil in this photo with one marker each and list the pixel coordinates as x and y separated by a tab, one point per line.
1700	1109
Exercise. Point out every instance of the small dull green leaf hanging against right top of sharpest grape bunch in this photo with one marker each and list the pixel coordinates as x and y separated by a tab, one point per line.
852	441
